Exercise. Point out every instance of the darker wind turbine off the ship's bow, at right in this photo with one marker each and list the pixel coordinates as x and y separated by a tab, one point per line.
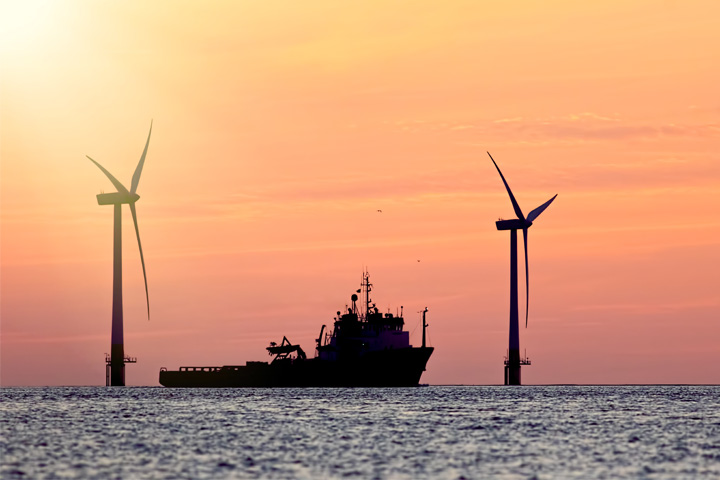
513	360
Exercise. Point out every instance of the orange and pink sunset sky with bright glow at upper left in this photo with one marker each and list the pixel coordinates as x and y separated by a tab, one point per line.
280	128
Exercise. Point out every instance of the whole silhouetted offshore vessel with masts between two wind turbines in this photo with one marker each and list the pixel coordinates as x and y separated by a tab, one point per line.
366	348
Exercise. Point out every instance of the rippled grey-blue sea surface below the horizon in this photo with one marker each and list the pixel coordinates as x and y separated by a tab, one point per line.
654	432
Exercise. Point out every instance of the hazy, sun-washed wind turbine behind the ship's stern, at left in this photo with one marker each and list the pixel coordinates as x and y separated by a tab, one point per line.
123	195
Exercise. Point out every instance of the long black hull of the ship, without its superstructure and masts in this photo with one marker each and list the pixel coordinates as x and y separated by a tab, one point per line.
401	367
